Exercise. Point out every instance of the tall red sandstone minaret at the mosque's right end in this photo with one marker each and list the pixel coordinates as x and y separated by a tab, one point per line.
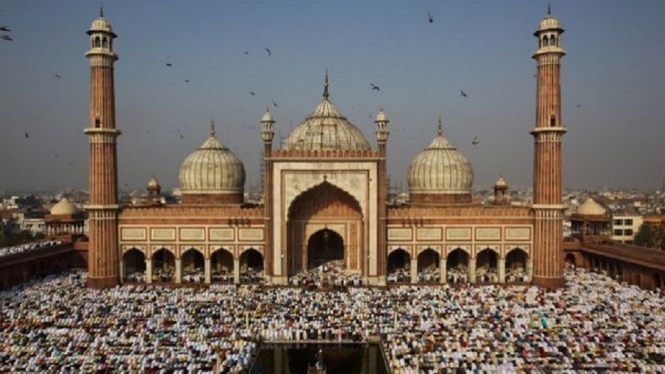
547	184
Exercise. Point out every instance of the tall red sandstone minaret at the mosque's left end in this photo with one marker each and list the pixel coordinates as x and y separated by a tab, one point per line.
103	255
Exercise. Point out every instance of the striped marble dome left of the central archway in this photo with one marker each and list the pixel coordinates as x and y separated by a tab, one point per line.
212	168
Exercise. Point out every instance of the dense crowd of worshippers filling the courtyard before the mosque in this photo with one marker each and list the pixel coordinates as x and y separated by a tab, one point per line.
594	323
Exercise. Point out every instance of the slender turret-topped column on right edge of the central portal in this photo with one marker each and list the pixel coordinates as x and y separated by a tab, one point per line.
382	134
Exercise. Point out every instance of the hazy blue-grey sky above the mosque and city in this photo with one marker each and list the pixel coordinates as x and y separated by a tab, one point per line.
613	83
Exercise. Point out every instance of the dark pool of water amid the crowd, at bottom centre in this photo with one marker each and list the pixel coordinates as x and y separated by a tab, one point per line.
346	358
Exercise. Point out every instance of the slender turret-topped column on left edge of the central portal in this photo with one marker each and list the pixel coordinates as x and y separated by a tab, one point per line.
267	134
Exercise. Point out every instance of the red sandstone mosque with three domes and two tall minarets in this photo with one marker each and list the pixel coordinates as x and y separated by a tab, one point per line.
325	199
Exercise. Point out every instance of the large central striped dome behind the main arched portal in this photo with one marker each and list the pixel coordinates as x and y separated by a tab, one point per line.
326	129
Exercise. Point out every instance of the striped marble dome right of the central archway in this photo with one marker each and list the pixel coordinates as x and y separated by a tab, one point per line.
440	169
